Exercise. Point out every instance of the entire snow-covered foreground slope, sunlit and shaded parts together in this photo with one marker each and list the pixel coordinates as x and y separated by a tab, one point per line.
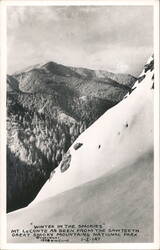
110	177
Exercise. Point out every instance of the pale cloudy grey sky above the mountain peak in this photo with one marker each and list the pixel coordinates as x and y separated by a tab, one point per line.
113	38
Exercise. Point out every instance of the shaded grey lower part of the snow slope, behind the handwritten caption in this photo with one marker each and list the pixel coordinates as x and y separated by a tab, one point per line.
121	200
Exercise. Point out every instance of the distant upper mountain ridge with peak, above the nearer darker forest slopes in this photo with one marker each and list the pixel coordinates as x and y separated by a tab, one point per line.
52	77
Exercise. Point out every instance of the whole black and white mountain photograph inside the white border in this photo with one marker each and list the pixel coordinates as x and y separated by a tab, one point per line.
80	87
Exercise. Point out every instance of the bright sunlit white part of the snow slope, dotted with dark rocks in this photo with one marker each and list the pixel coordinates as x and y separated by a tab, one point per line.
117	139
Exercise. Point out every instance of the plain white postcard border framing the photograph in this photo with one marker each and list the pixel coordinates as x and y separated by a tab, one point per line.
3	70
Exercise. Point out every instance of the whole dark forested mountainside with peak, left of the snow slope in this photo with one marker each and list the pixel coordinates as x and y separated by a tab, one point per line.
48	107
